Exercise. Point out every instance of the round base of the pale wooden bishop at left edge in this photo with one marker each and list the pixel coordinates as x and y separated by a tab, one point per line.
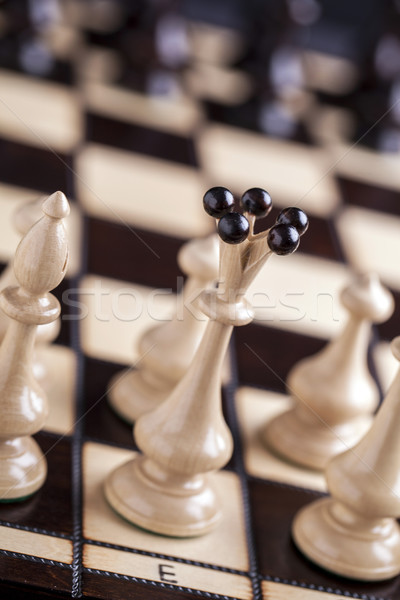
23	468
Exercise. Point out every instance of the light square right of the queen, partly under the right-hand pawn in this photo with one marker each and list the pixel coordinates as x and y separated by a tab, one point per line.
256	408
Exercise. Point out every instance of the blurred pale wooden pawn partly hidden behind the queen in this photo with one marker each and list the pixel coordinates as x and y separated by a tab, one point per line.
168	349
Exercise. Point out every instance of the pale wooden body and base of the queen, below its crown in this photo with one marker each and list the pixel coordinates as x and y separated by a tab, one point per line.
173	478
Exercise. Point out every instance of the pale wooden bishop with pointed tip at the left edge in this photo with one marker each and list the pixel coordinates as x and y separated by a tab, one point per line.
40	263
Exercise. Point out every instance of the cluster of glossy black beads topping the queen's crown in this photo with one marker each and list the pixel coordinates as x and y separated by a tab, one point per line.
233	227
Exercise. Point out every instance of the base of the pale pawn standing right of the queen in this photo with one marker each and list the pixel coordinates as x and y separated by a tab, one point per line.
311	444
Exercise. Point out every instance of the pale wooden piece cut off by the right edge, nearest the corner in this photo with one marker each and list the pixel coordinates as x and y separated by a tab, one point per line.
354	533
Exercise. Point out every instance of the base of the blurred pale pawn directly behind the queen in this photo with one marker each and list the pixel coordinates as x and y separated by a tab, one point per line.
131	396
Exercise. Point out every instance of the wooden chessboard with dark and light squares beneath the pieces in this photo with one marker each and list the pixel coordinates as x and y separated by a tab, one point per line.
134	166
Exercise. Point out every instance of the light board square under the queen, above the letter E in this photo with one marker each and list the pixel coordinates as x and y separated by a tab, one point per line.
225	546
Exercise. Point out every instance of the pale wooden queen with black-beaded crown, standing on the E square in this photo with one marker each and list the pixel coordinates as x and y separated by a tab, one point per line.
170	489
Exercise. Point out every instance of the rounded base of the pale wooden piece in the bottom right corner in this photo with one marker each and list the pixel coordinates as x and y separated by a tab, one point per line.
338	540
